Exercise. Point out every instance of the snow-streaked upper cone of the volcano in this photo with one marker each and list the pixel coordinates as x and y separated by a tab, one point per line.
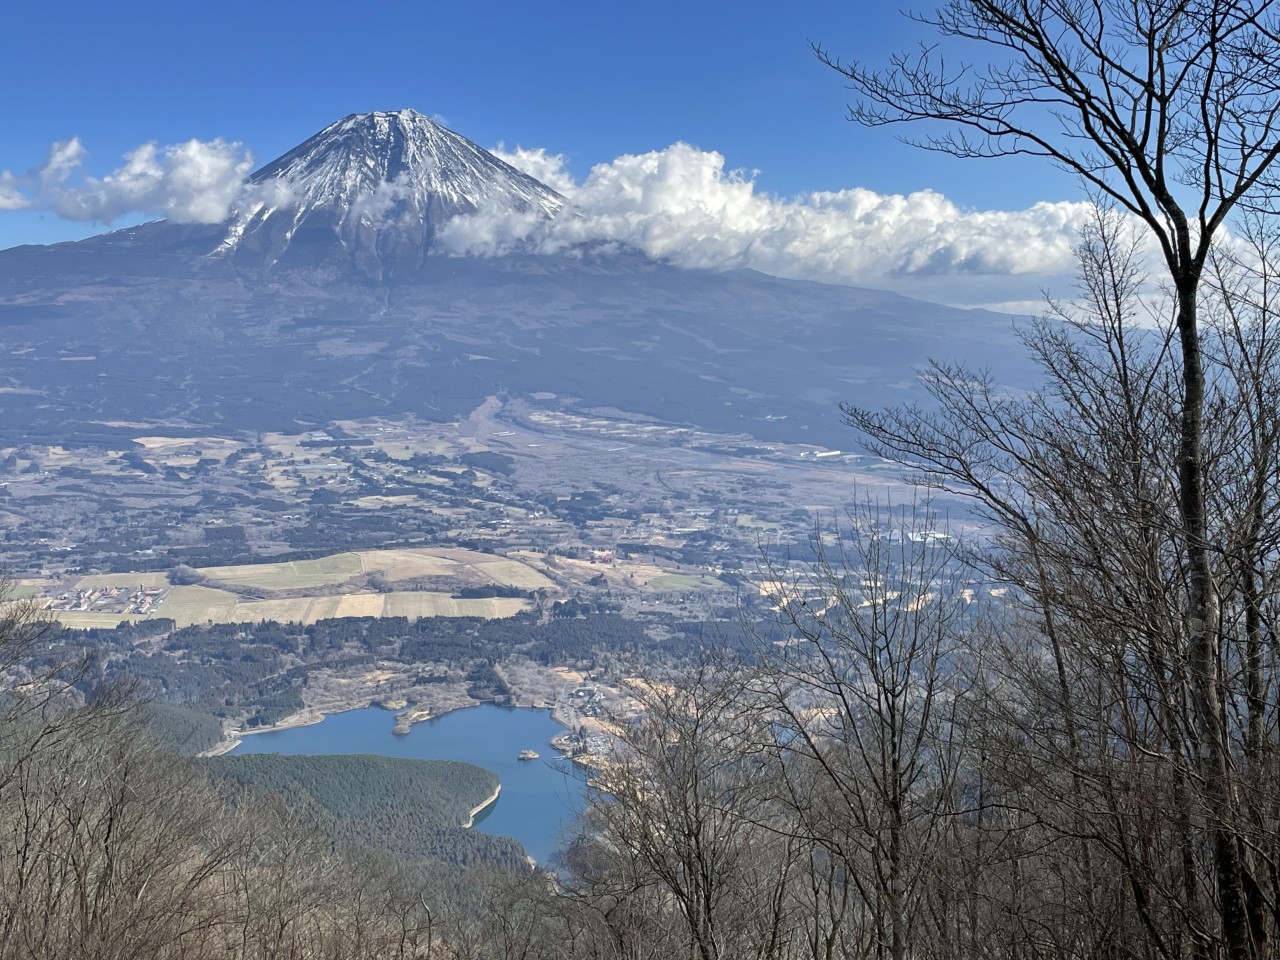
376	188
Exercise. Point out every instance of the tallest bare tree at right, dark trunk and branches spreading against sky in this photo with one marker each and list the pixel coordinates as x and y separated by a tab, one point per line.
1169	111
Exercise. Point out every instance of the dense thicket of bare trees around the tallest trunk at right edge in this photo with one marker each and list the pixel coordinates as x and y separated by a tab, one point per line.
1092	707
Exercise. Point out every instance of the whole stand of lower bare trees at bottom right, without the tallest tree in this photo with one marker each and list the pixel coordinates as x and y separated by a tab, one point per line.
920	775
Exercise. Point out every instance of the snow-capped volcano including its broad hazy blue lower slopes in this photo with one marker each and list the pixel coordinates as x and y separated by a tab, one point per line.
324	299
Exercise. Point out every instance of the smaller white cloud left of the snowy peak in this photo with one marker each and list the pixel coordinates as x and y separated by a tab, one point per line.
193	182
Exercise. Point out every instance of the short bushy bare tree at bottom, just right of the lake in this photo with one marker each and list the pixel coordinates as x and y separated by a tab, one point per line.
689	826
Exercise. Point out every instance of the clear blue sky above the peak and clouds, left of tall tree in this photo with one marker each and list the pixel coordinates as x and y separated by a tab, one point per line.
588	81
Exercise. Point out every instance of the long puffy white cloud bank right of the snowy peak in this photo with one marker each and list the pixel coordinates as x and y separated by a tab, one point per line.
682	204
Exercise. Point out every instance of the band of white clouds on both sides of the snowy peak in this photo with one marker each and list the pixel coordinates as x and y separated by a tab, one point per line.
679	204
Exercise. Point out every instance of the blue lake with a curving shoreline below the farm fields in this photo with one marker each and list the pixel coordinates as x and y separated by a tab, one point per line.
540	799
